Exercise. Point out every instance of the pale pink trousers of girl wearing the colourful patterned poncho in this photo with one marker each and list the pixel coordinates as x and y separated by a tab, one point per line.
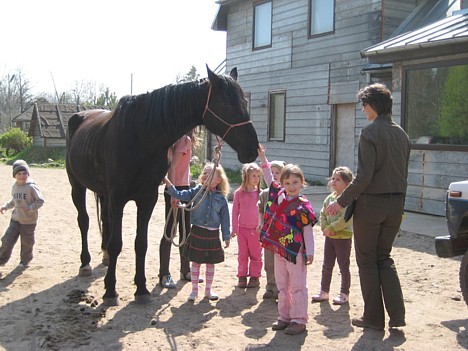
293	298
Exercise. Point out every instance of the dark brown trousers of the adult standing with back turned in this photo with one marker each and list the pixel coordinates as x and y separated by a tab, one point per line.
376	222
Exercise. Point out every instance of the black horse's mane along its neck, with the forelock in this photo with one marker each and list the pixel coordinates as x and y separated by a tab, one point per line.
175	102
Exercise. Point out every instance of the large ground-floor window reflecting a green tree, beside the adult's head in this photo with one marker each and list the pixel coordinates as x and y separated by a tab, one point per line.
435	105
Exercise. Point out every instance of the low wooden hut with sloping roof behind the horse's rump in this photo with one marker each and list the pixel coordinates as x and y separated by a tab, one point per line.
49	123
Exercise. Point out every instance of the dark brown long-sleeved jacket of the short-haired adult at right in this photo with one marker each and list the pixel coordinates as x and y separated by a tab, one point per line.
384	149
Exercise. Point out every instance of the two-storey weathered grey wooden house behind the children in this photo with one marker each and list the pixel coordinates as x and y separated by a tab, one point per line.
301	64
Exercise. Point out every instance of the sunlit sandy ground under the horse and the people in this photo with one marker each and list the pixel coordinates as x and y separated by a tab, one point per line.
46	306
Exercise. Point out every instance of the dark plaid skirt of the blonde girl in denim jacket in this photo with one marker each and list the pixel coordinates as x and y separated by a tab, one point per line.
203	246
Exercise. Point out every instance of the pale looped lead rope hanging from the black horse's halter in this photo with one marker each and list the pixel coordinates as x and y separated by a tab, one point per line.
174	211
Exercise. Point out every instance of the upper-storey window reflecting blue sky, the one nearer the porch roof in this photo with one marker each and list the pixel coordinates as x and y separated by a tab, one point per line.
321	17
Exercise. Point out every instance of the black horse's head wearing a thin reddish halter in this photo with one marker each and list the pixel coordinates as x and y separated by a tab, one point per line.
226	115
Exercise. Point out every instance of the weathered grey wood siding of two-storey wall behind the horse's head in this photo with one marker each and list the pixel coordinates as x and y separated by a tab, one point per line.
314	72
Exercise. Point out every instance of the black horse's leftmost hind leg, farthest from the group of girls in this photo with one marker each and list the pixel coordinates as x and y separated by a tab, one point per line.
79	200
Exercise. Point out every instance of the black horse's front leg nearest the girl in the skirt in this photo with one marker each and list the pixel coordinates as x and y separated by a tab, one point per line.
145	209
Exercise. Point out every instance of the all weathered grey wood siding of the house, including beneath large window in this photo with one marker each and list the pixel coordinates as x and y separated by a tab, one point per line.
317	73
